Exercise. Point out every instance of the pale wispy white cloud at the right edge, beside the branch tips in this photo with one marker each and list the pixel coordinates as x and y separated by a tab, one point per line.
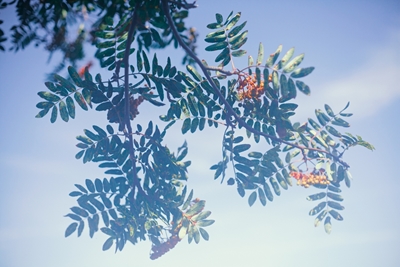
373	85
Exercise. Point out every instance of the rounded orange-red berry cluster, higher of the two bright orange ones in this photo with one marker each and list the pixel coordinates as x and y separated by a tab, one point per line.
248	88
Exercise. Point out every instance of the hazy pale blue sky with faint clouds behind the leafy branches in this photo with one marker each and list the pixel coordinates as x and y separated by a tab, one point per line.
355	47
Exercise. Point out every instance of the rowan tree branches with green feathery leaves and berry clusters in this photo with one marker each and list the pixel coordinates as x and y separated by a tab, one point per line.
144	195
